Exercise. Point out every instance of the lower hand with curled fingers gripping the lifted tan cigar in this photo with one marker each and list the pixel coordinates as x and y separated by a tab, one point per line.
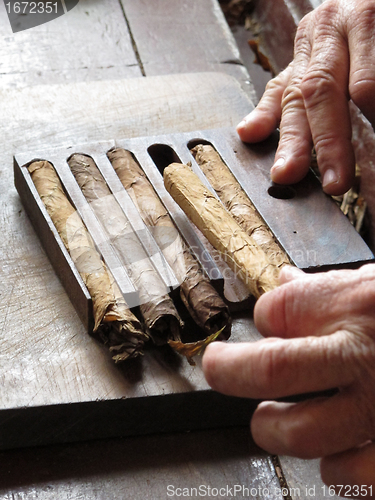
321	330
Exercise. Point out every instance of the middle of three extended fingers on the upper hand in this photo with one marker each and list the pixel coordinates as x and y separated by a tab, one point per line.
293	155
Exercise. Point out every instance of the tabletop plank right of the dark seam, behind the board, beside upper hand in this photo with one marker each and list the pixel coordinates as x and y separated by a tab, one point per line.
181	37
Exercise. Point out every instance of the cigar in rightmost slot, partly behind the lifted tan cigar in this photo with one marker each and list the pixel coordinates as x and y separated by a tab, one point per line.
238	203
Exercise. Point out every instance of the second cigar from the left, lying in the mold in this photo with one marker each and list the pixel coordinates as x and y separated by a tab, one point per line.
160	316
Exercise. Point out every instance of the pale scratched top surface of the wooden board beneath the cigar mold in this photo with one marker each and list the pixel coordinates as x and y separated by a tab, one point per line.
46	357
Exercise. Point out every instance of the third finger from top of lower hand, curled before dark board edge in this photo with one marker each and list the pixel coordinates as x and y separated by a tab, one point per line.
310	429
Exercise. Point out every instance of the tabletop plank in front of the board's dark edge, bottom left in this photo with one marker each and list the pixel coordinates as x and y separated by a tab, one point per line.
140	468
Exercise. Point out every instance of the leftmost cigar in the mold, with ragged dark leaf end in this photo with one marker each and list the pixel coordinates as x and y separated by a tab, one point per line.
115	324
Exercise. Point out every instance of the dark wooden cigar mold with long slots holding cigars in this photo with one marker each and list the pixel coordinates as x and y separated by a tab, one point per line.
306	223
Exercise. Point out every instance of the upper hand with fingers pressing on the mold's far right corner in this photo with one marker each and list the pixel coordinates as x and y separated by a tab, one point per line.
334	61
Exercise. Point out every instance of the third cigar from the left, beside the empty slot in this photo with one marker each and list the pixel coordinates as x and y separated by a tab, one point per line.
202	301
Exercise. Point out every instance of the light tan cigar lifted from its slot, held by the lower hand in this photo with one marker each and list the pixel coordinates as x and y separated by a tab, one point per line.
238	249
